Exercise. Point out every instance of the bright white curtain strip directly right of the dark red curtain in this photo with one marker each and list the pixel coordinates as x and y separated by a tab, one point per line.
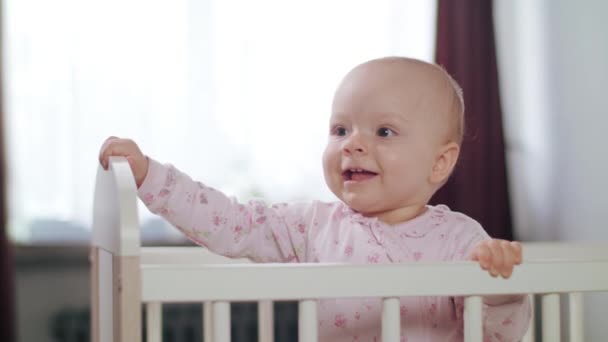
522	38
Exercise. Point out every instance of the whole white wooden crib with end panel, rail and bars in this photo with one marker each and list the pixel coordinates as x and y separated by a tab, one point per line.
124	276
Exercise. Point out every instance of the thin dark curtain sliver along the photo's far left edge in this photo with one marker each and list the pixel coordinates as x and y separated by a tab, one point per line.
7	316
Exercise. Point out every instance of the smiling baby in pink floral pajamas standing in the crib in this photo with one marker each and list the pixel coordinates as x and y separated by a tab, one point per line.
394	138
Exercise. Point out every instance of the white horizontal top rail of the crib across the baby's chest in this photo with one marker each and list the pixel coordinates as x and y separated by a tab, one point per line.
174	283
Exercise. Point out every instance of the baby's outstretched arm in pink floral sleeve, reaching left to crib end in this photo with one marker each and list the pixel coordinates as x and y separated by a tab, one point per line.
207	216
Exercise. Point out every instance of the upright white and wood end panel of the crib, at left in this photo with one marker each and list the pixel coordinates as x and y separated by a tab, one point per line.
115	256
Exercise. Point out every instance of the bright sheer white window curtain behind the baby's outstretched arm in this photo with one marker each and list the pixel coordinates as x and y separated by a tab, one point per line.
236	93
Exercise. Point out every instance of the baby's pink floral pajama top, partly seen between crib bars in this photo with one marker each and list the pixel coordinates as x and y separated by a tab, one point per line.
332	232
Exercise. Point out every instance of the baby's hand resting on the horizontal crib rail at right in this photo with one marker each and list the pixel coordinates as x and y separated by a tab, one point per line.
497	256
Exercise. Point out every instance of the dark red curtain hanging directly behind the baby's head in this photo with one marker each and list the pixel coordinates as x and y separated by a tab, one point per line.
465	48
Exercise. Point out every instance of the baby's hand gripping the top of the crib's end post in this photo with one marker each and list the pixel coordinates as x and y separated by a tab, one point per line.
114	146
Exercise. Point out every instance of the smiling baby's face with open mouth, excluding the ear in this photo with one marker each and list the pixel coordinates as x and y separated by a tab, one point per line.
383	141
